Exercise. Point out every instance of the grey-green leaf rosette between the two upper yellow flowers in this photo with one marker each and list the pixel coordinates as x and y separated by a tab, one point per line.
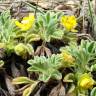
47	26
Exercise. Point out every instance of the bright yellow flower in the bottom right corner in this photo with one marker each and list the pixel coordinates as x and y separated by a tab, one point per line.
86	81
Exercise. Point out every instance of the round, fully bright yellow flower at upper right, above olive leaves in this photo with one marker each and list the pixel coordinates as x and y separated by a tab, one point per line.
69	22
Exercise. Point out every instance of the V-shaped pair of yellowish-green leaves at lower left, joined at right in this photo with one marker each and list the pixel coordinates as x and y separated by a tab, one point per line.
29	87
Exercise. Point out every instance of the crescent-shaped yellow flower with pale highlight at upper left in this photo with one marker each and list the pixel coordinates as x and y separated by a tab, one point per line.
26	22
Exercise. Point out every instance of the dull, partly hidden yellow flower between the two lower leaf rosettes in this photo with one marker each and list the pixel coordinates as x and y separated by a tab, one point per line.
66	57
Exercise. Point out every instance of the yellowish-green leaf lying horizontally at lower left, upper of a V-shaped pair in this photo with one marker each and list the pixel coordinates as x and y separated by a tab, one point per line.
22	80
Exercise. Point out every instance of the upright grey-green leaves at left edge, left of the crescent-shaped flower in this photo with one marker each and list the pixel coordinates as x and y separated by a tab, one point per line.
7	27
